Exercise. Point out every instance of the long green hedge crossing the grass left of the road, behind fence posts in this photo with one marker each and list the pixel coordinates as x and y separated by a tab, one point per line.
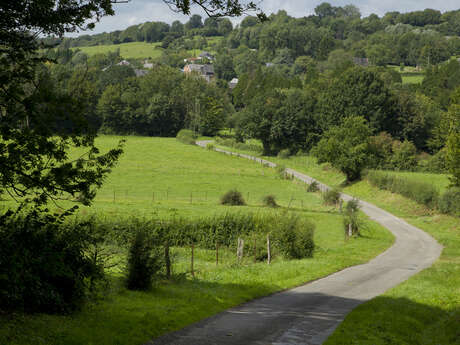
223	230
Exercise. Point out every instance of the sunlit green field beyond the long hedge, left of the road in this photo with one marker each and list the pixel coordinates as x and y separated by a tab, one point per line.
166	177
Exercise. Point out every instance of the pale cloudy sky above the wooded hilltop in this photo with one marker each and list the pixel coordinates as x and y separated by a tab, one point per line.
139	11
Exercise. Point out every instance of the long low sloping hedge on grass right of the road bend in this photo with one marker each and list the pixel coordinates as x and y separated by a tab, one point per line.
421	192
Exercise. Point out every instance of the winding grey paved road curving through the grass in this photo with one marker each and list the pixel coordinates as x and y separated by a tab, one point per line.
307	315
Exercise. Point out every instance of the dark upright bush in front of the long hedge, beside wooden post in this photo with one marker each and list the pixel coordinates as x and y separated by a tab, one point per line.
144	261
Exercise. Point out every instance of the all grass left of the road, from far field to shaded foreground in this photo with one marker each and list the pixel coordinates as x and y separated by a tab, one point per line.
156	165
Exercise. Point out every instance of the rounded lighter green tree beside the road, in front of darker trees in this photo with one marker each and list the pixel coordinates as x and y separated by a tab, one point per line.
346	147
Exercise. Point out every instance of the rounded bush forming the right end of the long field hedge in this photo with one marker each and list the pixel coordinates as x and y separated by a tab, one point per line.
294	237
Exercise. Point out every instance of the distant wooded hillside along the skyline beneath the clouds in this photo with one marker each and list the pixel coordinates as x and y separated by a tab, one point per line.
414	38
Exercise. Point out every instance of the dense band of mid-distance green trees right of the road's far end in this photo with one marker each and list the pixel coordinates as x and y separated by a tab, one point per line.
352	117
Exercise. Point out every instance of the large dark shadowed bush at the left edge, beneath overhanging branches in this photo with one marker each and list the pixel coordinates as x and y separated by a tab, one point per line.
43	266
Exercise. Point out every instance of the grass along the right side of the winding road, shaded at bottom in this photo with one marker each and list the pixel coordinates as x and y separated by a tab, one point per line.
426	308
